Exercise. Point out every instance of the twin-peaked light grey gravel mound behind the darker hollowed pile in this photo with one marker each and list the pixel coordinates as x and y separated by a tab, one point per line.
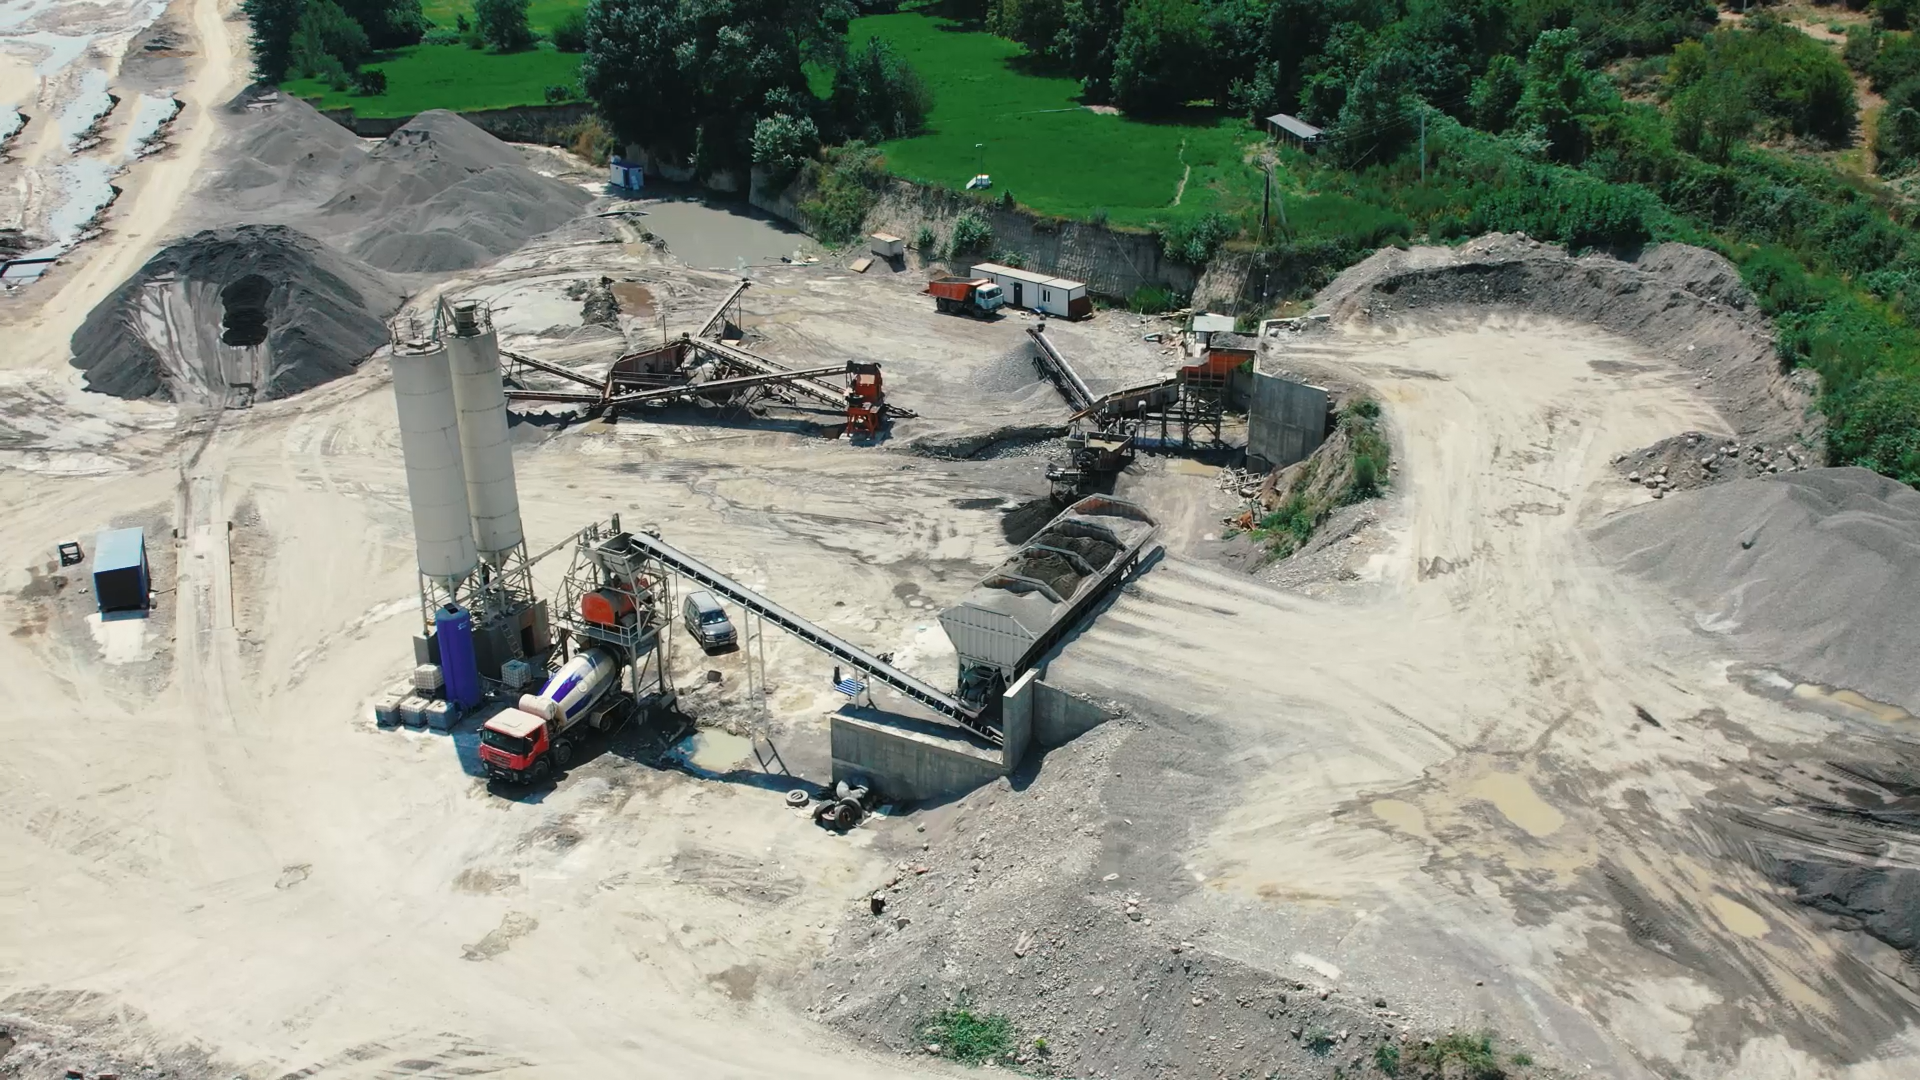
439	195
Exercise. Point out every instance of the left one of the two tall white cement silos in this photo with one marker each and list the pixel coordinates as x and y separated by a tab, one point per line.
431	443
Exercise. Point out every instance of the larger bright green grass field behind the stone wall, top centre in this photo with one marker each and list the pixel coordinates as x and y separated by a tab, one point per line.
1044	147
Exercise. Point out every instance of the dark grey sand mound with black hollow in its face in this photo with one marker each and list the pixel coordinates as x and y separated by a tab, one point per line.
231	316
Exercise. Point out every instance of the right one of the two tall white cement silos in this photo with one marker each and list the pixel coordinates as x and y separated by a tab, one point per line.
492	497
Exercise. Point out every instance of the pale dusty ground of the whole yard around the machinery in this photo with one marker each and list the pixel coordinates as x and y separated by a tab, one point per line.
1489	781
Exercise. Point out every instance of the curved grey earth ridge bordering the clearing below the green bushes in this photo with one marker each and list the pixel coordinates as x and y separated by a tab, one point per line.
1677	303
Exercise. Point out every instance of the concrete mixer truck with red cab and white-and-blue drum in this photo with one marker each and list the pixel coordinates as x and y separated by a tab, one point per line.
539	737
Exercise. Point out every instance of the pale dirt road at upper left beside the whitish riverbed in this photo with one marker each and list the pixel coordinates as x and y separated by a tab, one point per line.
41	322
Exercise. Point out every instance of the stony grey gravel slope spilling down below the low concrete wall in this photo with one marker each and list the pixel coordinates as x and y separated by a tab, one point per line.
1059	906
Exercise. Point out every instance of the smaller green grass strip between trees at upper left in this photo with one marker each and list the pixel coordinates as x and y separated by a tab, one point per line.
450	78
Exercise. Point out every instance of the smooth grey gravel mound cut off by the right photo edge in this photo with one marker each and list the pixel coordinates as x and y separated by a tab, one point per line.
1815	574
